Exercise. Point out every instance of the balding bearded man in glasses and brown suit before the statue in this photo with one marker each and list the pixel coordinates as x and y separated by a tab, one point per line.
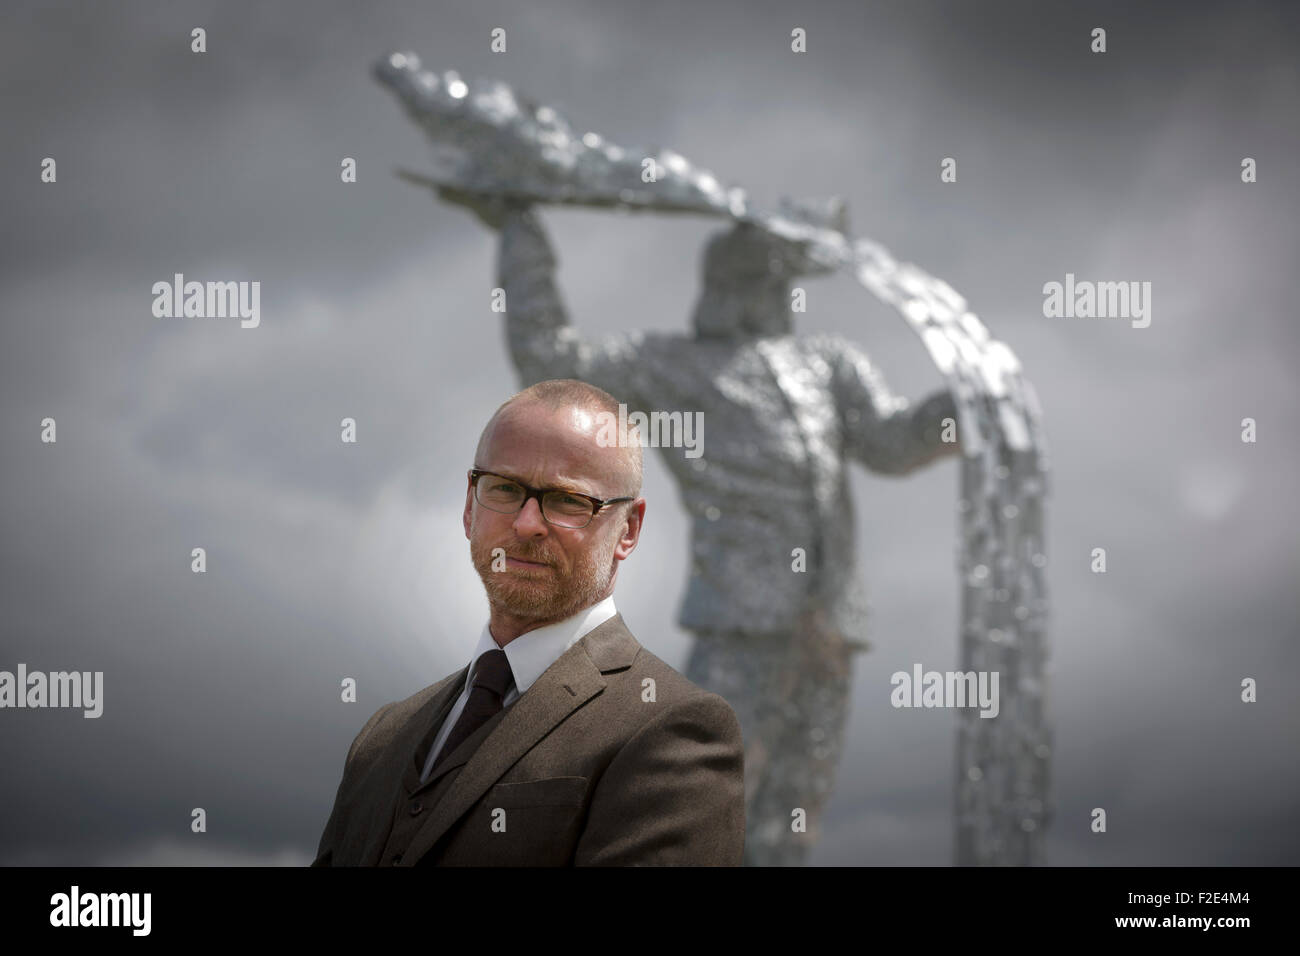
564	742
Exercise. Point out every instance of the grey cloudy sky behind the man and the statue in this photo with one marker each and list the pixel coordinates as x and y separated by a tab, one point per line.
327	560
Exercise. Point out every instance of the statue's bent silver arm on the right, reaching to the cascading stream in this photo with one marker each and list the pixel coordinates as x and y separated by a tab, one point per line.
882	431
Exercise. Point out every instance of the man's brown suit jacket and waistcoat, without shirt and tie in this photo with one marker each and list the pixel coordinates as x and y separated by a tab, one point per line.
610	759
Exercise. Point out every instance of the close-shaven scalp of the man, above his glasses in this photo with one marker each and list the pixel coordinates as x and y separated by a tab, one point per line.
577	409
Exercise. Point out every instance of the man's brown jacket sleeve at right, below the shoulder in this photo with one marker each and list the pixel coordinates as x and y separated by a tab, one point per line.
674	795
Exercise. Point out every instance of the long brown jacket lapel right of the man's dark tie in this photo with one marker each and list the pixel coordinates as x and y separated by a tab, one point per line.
566	686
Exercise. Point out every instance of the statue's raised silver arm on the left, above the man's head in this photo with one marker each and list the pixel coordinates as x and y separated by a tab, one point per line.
543	343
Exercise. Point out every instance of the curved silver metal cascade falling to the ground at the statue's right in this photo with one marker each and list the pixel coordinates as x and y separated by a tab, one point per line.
1003	764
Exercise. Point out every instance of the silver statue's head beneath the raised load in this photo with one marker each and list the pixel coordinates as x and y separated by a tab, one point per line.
748	271
